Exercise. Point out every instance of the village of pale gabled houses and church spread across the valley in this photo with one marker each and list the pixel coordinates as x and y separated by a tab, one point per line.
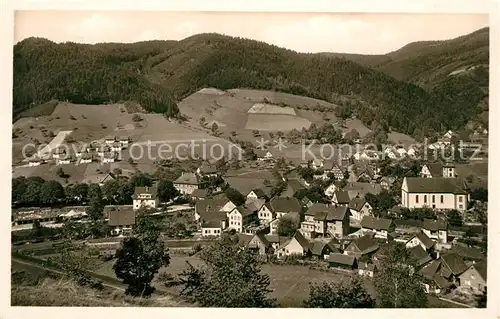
327	214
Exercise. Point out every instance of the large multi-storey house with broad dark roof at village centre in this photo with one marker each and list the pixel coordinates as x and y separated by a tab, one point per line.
325	220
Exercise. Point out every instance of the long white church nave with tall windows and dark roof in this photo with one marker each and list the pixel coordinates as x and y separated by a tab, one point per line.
435	193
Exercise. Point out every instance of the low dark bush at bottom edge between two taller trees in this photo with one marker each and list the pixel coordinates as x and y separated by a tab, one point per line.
344	294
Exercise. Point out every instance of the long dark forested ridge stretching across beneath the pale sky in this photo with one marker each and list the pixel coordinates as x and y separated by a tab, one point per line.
158	73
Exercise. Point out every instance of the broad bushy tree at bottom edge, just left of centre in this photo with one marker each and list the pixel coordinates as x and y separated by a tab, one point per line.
230	277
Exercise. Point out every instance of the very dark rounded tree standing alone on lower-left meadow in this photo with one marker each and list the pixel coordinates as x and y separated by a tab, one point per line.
141	256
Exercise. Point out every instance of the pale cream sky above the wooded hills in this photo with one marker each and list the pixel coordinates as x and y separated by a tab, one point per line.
364	33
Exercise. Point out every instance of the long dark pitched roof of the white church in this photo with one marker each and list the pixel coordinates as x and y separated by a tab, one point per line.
434	185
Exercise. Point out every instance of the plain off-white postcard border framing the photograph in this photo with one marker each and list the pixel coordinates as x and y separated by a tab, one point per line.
412	6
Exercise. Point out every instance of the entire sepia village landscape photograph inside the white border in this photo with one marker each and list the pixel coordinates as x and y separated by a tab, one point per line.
249	159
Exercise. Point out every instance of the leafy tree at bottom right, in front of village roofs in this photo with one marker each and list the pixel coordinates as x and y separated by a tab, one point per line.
397	284
